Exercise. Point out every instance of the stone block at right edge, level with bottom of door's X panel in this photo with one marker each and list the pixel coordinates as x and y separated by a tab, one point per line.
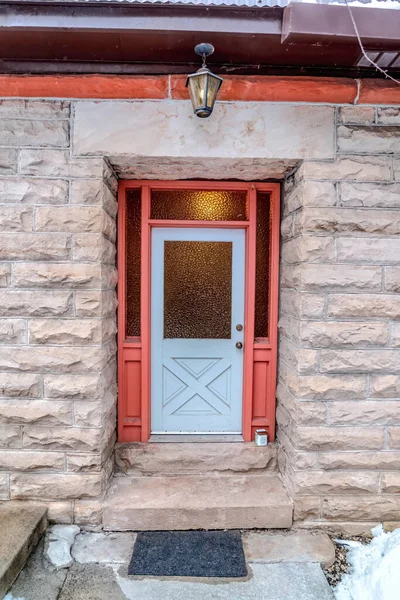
358	412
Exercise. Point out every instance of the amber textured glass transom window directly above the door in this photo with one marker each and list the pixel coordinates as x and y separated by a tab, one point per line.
199	205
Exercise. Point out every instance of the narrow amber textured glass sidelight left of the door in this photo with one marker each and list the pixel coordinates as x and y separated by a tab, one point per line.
132	249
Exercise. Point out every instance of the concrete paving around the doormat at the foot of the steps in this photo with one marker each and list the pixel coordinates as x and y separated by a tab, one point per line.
101	560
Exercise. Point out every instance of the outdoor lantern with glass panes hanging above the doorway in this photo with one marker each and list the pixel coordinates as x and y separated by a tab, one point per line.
203	85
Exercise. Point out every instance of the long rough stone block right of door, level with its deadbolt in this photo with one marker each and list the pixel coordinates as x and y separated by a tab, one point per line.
324	334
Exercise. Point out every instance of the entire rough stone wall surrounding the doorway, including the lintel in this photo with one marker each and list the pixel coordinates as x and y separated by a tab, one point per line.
339	388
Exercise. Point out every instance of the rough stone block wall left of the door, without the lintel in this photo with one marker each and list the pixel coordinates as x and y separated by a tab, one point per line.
57	313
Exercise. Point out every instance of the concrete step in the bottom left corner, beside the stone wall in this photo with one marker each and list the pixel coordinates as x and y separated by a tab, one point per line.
21	528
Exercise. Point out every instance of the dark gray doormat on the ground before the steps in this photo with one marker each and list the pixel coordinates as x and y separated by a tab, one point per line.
188	554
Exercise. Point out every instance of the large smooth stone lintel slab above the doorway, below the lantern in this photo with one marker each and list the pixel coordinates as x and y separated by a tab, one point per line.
169	130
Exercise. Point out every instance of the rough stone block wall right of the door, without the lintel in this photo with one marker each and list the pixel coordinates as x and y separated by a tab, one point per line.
339	381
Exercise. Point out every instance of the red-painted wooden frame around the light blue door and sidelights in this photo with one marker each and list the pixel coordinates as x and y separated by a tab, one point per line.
260	356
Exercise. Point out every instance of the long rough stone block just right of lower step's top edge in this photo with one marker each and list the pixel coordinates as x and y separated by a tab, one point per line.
333	484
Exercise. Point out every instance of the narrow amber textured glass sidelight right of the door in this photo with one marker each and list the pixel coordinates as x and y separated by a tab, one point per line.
262	265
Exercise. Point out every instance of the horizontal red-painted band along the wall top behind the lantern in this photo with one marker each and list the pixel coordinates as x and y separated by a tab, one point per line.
254	88
